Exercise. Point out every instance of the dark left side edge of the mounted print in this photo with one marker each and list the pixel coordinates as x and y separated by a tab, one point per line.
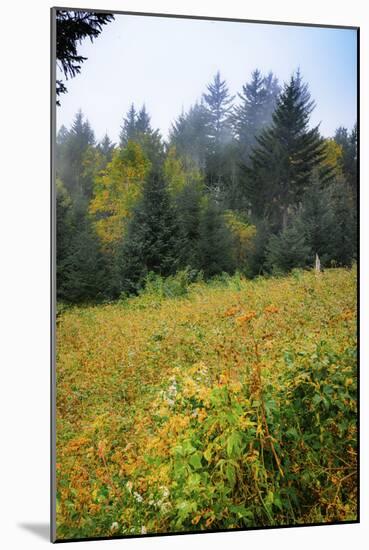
52	276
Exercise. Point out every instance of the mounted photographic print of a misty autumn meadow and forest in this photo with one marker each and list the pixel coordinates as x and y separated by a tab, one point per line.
204	270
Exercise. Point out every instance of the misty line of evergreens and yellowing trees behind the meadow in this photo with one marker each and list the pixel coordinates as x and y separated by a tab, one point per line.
241	184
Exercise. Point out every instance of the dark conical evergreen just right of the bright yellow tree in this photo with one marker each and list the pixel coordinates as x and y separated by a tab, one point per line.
152	242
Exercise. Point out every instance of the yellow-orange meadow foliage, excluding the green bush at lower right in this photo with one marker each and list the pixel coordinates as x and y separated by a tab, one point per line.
123	399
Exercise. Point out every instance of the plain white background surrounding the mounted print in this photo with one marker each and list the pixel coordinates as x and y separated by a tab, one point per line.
24	274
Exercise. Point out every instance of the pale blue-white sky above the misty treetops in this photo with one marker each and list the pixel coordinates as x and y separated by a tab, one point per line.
167	63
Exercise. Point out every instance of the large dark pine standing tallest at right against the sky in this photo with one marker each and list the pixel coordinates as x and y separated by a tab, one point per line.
285	156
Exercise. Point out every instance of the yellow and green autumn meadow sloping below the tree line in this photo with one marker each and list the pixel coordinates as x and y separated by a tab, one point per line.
229	404
